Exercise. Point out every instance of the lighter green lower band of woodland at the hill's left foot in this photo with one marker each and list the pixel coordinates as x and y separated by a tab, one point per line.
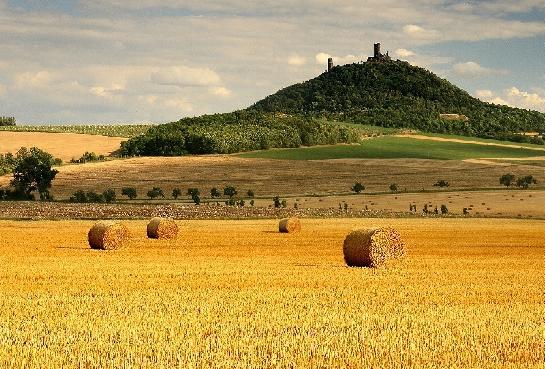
236	132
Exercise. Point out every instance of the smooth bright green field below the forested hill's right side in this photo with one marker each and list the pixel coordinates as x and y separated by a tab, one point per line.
397	147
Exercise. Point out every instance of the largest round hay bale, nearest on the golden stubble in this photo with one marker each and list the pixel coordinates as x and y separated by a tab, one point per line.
367	247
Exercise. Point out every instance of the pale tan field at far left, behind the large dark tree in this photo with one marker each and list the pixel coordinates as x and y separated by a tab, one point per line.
61	145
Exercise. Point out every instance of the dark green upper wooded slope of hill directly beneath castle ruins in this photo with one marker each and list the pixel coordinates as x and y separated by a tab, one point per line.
397	94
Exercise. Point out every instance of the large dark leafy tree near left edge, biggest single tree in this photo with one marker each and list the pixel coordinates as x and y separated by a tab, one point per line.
33	172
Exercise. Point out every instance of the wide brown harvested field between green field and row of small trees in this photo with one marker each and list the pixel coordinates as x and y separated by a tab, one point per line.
277	177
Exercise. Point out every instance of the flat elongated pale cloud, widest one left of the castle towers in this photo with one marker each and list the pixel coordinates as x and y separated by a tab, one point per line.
185	76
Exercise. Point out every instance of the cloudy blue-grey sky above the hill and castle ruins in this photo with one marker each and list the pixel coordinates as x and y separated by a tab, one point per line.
130	61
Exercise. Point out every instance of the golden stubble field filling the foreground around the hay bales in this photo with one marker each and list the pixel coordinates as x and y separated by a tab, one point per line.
237	294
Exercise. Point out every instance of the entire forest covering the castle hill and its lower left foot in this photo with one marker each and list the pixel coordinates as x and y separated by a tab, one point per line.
392	94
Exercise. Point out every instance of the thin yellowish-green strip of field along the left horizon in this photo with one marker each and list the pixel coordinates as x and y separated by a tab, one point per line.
114	130
